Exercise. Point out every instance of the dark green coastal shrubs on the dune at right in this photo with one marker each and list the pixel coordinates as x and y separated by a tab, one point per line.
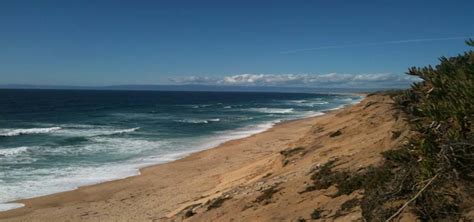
432	174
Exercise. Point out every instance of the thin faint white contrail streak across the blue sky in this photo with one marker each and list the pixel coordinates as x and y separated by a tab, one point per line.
375	44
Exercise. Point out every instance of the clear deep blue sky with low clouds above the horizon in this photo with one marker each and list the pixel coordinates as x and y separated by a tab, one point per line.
276	43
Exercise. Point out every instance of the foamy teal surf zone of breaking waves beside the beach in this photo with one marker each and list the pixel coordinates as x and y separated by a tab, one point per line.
119	156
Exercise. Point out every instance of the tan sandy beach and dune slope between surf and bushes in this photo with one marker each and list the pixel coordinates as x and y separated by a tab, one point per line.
238	171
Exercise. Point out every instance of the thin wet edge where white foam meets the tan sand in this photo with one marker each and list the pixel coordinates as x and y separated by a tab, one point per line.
214	145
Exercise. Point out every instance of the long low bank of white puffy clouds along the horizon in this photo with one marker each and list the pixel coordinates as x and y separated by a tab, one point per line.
380	80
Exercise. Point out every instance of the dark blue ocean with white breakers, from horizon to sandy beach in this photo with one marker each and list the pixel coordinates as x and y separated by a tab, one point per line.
57	140
